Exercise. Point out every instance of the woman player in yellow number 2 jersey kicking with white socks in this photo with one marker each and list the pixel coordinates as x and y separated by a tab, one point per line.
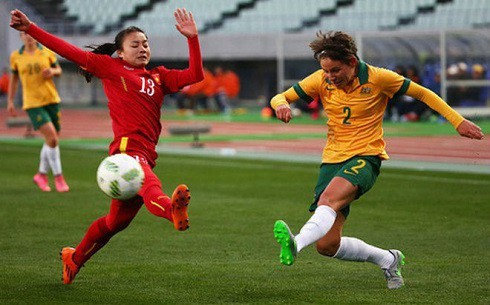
354	96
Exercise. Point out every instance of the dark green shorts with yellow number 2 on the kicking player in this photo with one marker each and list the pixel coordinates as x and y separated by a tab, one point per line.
361	171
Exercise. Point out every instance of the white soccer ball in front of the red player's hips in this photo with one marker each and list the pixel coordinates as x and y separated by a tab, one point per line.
120	176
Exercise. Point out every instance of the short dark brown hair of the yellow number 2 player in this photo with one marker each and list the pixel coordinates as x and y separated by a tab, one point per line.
336	45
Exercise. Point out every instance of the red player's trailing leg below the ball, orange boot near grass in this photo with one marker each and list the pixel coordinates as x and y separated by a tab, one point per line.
98	234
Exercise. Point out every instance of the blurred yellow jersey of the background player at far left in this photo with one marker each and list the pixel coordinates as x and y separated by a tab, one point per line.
36	90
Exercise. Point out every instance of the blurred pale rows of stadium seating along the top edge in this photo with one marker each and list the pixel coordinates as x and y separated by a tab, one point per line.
264	16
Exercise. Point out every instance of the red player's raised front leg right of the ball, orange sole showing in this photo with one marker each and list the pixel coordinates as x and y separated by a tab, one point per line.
160	204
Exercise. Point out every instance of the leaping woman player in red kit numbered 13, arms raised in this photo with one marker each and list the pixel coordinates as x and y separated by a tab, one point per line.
135	98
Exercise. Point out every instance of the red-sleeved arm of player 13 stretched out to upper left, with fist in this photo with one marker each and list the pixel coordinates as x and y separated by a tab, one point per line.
20	22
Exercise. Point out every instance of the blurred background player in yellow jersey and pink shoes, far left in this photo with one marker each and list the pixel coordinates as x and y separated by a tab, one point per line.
35	66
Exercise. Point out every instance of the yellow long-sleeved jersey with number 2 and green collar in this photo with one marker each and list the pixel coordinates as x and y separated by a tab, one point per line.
355	117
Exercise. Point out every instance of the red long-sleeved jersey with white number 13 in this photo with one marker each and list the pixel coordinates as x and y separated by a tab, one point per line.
135	95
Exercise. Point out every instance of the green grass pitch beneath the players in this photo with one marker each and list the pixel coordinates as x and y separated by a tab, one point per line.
439	220
